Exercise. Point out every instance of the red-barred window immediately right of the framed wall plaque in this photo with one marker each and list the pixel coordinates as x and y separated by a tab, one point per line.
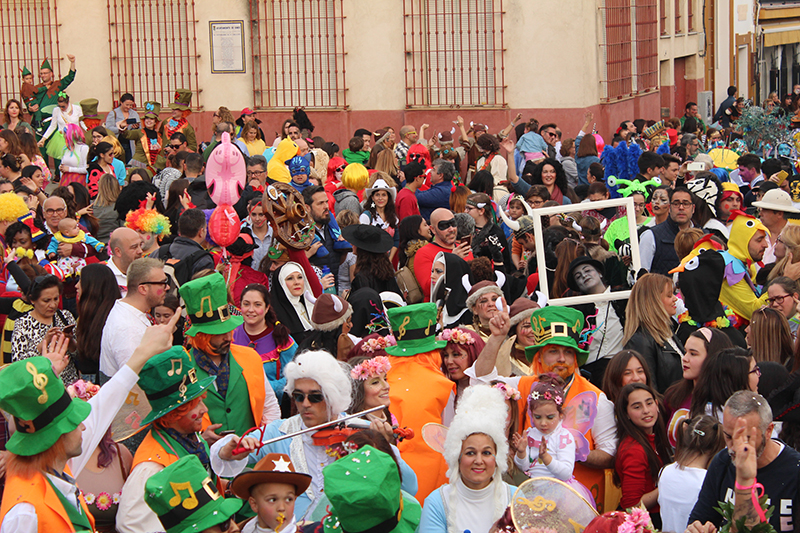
298	53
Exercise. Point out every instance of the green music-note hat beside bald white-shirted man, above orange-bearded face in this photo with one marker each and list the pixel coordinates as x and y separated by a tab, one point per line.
207	306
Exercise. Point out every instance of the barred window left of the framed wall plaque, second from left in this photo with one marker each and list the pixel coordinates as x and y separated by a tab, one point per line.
153	49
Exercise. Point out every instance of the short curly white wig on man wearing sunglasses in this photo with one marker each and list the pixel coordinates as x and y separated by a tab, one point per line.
332	377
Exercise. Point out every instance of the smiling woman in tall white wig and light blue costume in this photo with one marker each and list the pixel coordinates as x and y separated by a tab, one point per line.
476	450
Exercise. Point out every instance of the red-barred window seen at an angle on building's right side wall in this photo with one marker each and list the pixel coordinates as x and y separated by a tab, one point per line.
629	48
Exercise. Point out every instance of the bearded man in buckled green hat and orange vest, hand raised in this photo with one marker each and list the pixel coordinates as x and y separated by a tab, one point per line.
556	331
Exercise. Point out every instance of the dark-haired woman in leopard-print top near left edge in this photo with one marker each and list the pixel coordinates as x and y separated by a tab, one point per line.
31	328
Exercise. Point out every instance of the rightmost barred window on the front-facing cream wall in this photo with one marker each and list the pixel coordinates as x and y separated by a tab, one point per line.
454	53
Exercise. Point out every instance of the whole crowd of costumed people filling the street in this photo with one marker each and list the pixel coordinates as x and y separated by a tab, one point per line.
162	375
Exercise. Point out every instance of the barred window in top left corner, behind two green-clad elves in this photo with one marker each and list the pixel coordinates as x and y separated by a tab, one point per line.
28	36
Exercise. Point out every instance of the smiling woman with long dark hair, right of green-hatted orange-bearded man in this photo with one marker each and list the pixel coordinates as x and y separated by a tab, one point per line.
263	332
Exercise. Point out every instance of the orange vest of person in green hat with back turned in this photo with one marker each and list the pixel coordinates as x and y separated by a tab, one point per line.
419	393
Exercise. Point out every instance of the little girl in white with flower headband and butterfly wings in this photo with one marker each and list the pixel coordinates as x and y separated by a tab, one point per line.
548	448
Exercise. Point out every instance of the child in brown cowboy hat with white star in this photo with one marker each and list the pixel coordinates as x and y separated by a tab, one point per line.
271	489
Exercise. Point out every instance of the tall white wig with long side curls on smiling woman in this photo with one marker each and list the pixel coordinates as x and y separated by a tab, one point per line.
482	409
